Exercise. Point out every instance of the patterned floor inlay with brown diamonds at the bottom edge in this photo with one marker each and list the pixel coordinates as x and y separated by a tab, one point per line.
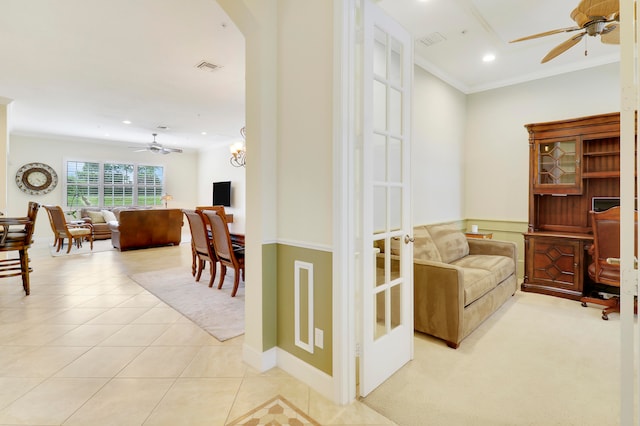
277	412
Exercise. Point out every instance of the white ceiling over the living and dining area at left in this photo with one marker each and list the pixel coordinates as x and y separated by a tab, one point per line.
80	67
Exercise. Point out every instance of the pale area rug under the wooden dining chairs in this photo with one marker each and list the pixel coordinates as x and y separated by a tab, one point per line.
214	310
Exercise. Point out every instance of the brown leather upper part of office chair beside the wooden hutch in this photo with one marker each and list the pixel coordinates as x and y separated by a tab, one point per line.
606	245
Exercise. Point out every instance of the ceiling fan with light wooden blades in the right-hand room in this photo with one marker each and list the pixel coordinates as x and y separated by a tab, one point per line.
594	17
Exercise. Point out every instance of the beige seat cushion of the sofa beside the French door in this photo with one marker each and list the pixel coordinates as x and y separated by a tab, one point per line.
482	273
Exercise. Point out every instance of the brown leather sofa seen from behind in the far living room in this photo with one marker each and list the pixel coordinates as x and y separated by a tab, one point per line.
146	228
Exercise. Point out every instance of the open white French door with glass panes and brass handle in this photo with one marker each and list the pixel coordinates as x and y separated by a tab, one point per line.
386	275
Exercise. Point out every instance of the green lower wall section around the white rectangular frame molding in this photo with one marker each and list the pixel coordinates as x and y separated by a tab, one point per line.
322	262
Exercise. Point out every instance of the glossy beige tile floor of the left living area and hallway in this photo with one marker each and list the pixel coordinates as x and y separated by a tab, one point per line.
91	347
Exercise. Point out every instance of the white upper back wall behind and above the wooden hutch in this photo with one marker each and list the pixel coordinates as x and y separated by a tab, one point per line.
496	149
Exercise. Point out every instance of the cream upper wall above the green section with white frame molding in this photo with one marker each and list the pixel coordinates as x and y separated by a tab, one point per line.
305	123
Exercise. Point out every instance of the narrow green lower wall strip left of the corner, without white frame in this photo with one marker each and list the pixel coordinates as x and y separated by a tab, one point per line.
269	296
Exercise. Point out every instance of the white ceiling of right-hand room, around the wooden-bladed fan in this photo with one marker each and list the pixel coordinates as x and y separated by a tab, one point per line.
472	28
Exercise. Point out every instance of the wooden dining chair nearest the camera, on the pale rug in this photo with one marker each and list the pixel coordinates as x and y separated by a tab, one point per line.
228	255
